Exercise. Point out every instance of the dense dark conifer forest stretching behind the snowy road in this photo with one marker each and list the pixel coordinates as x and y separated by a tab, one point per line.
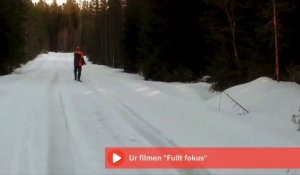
232	41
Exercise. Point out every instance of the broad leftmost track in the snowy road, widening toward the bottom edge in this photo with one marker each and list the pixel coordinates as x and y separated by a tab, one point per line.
60	159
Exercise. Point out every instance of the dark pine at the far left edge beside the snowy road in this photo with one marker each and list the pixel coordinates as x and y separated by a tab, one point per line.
11	32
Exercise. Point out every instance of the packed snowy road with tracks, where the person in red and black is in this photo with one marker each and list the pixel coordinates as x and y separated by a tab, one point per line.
51	124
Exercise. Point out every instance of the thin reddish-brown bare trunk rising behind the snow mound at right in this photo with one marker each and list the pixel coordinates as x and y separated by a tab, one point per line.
276	41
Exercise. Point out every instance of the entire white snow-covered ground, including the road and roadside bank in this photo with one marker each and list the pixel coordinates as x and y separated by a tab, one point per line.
51	124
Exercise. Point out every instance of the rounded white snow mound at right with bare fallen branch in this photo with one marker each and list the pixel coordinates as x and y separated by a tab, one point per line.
270	104
